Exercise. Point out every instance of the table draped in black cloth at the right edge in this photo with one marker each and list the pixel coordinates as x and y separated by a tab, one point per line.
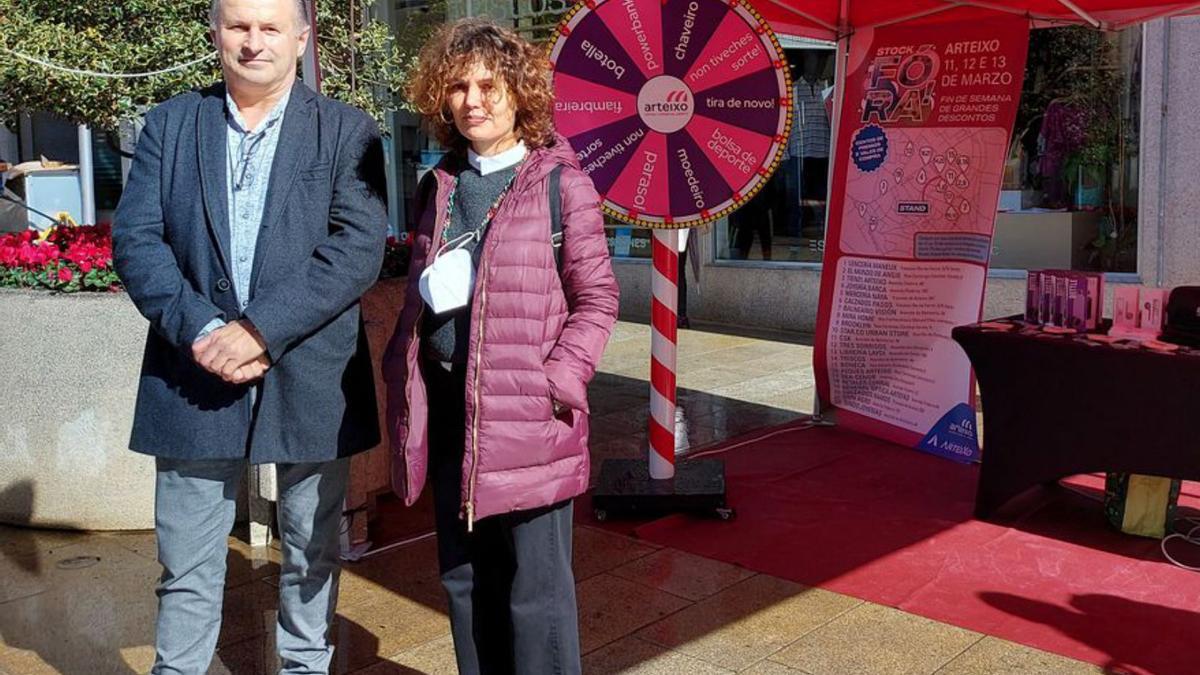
1060	405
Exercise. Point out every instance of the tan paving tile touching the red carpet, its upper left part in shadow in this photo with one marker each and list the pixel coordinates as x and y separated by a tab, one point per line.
748	622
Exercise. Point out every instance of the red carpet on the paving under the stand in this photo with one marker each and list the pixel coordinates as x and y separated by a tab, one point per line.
856	516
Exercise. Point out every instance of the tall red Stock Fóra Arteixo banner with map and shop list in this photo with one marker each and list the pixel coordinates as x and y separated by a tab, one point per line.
925	129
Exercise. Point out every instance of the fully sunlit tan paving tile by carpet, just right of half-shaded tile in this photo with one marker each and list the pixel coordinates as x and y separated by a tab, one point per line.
880	641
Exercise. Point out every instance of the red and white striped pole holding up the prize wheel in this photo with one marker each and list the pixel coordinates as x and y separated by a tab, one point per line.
664	331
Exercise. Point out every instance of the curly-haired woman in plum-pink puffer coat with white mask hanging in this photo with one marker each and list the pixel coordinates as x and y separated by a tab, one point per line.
491	397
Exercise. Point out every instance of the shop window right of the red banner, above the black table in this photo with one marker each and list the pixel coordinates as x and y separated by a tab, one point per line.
1071	181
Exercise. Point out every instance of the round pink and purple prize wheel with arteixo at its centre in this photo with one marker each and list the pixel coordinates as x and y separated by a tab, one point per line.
677	110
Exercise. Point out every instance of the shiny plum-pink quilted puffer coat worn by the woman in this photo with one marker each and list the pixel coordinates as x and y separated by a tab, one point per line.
536	338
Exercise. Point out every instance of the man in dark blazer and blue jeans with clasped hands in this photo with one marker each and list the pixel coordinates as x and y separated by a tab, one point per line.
253	223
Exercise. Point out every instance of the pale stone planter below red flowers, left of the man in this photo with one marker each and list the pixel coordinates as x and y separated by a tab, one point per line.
71	371
